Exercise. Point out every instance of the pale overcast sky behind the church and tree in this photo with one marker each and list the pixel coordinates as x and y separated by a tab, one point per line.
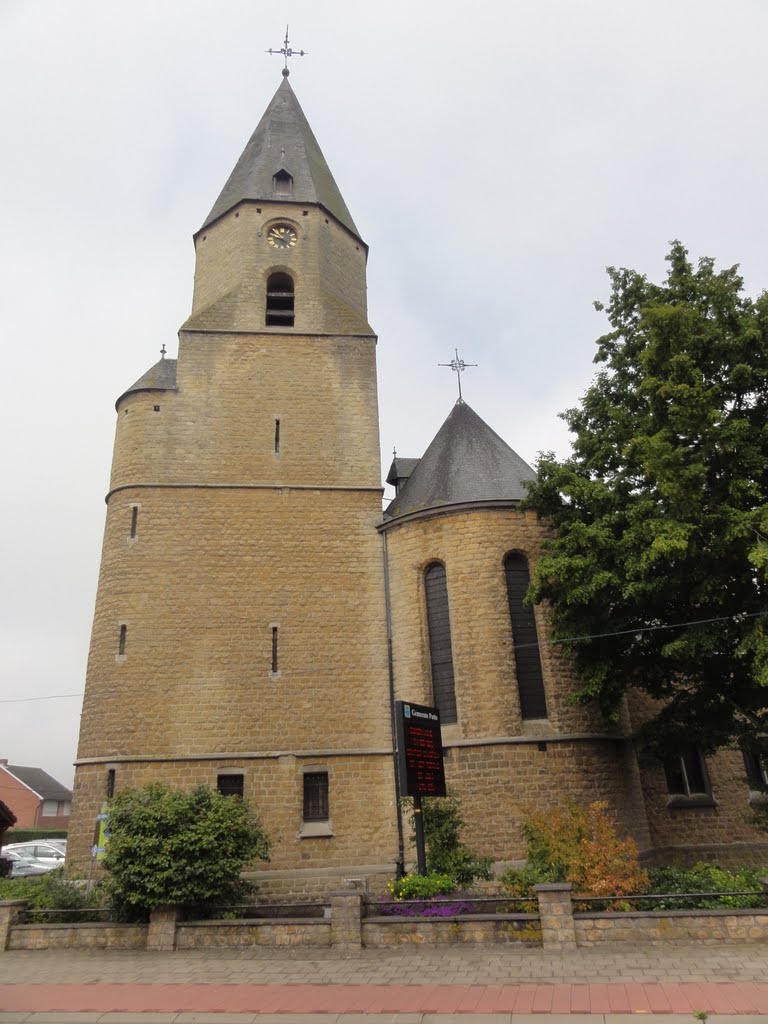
496	156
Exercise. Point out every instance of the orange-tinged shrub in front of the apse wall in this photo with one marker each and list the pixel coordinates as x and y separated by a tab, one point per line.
578	845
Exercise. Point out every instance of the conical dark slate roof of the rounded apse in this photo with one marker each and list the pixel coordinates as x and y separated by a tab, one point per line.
467	463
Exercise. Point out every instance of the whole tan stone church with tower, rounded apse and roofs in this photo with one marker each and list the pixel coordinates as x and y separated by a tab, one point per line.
258	614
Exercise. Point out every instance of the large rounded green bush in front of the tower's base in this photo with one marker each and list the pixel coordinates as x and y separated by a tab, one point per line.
170	846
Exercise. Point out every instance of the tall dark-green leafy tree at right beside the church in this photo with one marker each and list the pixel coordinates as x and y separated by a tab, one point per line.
659	567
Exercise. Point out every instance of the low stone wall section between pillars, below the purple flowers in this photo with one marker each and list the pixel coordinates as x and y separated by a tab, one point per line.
492	928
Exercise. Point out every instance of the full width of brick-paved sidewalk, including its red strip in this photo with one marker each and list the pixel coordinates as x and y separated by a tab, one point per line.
465	980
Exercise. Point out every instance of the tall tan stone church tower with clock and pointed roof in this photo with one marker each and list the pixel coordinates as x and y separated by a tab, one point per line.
240	630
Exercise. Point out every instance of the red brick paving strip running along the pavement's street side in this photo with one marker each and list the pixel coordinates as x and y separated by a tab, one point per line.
682	998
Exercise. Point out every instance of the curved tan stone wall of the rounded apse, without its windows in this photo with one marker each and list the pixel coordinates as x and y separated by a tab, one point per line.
499	765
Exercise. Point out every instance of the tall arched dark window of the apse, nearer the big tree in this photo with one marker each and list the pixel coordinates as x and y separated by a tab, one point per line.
525	639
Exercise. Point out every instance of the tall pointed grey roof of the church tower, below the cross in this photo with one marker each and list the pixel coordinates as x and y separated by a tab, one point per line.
283	142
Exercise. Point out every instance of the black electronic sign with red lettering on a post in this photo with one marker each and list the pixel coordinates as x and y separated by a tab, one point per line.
420	769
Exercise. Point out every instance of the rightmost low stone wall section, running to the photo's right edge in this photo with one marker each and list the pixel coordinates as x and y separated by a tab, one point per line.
666	926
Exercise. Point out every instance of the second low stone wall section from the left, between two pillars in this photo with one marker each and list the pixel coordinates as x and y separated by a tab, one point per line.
253	932
